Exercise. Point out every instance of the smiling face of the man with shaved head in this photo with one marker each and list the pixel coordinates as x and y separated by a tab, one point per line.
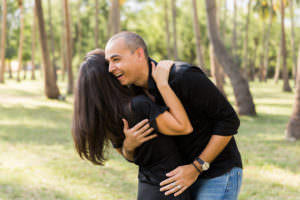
123	64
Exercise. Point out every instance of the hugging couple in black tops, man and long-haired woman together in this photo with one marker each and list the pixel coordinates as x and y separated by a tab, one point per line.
167	117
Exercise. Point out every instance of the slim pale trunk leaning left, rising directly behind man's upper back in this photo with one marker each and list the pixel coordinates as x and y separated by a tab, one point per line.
198	36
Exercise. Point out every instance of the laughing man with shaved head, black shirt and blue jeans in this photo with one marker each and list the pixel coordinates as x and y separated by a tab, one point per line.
213	166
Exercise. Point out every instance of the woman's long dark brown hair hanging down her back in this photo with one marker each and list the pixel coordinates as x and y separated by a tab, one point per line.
100	102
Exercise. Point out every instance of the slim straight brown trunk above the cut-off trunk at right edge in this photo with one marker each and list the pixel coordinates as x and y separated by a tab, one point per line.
285	76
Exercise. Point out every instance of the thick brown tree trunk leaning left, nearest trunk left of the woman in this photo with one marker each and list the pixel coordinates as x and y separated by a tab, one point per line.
51	89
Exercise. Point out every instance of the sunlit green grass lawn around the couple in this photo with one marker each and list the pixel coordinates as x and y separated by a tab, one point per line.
38	161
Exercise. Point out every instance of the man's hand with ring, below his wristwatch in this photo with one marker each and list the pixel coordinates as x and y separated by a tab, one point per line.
179	180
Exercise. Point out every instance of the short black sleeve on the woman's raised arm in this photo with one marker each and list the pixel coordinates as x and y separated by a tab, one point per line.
145	108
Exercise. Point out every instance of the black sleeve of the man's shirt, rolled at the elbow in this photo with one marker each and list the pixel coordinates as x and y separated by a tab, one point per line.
203	95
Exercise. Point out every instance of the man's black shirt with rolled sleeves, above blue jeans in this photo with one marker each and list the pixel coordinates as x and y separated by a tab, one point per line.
209	112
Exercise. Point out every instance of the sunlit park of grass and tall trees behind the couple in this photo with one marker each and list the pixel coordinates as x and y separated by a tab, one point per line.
247	47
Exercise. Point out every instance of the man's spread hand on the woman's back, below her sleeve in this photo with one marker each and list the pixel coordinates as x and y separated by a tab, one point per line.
137	135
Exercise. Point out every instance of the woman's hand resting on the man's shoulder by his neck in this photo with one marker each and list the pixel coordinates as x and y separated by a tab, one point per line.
160	73
